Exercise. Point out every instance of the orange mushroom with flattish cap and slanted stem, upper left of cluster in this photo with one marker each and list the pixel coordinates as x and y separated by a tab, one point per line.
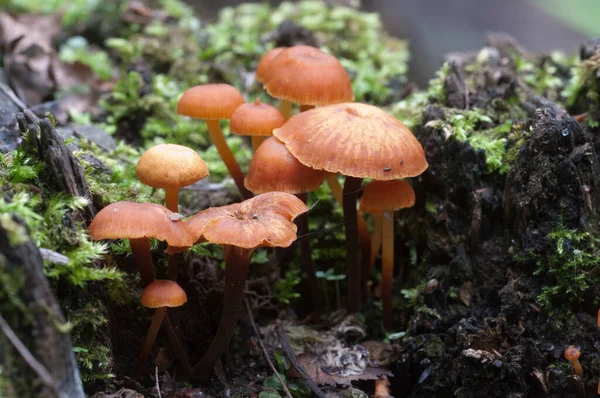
215	102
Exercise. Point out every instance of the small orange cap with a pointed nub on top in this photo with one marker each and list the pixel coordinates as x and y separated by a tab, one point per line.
256	119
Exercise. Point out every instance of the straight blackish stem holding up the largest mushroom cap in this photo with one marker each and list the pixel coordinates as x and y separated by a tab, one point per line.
351	188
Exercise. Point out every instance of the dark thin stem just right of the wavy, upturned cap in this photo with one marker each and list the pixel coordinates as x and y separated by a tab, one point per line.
306	260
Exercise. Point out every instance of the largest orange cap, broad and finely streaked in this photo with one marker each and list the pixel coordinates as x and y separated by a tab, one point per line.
354	139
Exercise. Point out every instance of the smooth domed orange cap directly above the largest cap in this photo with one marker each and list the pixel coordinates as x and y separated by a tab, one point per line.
306	75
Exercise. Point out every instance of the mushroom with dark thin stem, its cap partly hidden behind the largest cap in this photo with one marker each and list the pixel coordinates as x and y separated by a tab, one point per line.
274	169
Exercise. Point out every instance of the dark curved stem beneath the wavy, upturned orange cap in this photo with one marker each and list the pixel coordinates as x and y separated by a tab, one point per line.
236	269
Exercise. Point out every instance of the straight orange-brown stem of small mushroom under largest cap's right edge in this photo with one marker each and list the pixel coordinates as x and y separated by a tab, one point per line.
387	270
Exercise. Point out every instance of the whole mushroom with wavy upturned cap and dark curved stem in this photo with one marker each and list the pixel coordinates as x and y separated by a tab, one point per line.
265	220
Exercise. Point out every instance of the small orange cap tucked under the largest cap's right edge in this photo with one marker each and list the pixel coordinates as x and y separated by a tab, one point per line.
379	196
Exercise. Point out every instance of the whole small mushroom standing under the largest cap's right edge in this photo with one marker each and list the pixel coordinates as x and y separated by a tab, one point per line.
381	198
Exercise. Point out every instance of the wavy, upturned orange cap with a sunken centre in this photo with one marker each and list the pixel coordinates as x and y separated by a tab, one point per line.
264	220
